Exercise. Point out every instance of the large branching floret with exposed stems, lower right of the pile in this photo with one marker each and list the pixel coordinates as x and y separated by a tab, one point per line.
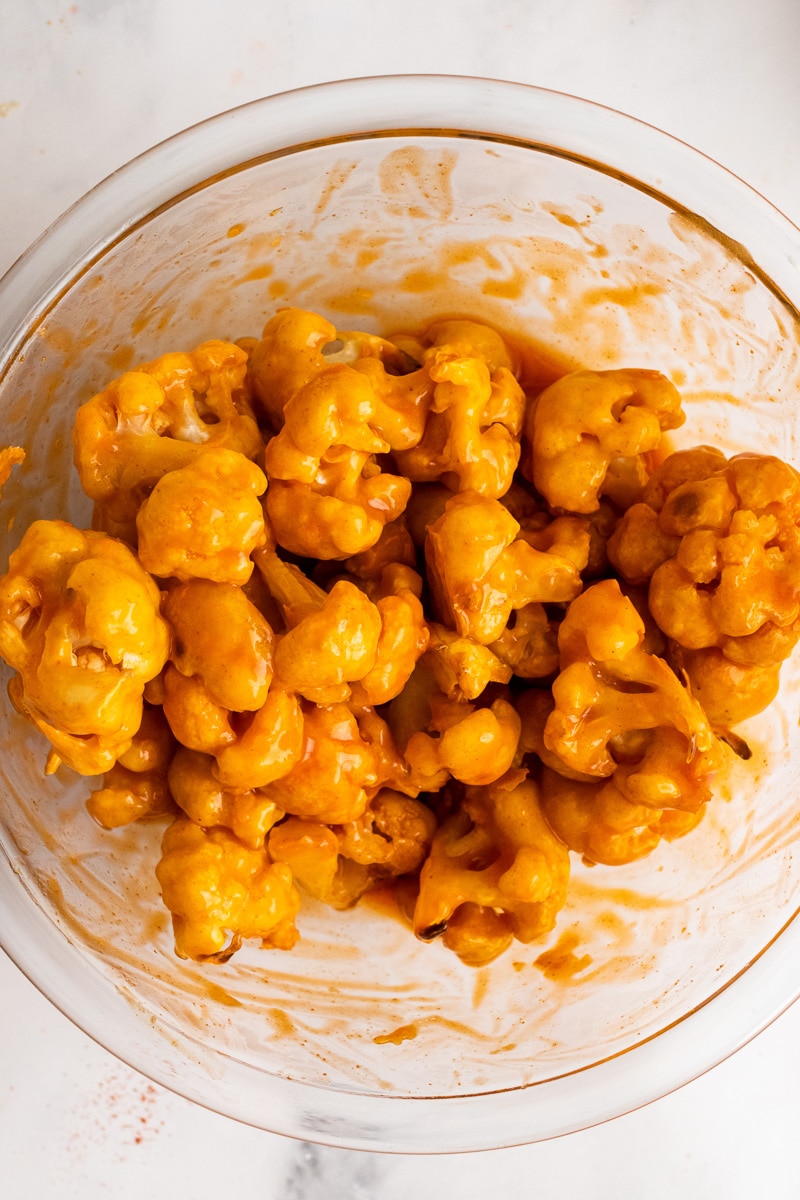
621	715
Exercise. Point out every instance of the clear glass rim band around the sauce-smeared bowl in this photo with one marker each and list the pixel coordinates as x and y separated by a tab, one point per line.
284	124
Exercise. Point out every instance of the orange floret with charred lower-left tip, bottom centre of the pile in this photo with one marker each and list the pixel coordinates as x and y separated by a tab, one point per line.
498	855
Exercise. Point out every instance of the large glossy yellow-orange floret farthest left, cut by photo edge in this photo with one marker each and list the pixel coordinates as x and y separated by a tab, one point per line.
80	623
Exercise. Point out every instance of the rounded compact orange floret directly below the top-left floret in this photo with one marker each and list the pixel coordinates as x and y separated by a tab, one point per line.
204	520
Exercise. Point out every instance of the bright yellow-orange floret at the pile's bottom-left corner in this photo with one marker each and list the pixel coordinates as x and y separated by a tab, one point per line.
221	892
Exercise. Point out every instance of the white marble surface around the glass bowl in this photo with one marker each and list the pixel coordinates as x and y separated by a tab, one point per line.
85	87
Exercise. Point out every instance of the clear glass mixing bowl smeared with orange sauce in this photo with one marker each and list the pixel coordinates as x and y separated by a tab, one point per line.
383	203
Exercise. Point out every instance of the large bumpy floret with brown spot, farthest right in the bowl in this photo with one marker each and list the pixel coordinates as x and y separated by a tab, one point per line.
719	544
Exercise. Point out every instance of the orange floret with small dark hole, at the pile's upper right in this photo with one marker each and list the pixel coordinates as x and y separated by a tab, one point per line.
586	422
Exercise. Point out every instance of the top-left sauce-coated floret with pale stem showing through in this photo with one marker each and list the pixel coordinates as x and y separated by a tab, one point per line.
157	419
